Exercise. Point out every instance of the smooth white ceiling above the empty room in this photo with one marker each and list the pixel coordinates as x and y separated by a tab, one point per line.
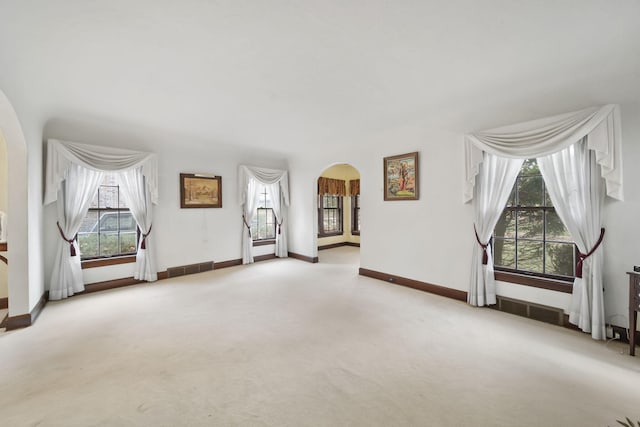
289	74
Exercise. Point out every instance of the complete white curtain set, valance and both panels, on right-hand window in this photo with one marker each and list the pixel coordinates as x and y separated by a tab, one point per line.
570	179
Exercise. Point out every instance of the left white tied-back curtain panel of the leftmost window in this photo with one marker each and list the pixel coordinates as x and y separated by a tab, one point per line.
75	195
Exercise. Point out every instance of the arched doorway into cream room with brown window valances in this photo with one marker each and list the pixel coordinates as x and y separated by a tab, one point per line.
338	213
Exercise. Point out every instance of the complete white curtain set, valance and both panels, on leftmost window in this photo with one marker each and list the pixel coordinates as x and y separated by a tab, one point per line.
73	174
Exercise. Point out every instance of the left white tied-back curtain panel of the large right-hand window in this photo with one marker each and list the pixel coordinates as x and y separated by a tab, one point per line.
495	182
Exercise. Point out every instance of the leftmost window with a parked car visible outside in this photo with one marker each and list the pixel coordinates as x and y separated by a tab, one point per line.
108	229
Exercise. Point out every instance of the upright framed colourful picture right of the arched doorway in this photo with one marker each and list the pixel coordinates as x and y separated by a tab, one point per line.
401	177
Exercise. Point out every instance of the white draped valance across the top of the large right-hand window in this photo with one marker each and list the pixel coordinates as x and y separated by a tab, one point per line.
601	126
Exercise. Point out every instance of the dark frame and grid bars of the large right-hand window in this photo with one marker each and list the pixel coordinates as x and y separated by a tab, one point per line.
532	278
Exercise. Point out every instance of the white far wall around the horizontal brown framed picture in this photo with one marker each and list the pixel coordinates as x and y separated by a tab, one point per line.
183	236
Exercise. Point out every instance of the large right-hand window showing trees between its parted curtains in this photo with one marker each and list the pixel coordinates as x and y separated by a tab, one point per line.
529	237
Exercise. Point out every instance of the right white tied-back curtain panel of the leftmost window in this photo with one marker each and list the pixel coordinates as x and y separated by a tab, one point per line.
138	197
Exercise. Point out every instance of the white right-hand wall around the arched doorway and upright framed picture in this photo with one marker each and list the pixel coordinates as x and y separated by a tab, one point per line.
431	239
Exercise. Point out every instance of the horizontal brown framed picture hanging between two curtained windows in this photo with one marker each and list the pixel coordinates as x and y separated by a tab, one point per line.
200	191
